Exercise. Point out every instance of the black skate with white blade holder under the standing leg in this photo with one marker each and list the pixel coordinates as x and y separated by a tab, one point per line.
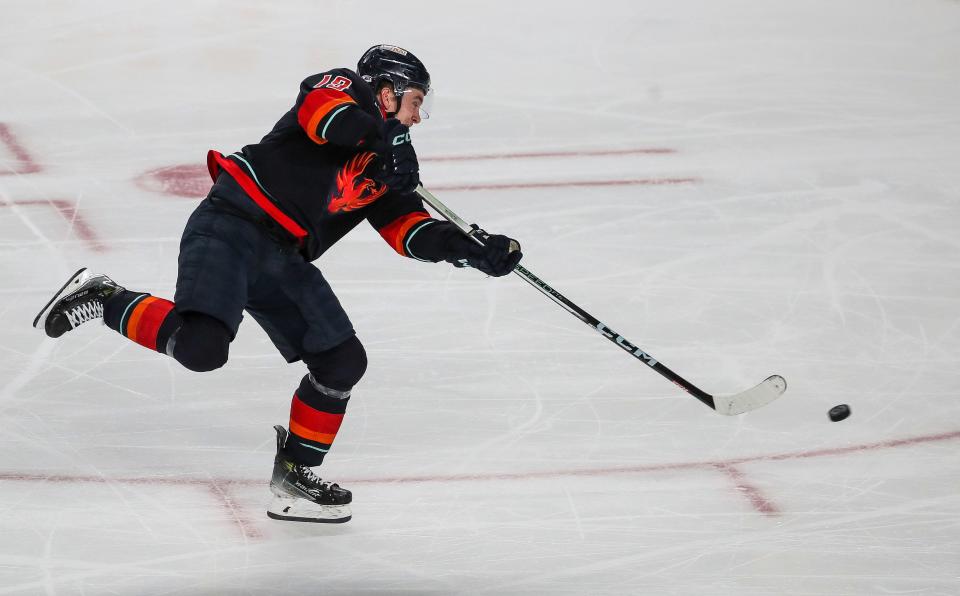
298	495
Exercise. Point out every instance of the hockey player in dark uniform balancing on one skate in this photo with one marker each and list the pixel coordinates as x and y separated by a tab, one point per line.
341	155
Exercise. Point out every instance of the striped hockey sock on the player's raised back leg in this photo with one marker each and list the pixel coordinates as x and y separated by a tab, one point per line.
145	319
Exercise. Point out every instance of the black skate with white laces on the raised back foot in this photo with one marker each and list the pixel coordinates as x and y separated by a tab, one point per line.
78	301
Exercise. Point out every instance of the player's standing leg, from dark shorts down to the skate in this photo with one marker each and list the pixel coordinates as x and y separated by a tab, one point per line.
306	322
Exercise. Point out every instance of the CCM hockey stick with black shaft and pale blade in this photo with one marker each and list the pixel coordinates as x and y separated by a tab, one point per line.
768	390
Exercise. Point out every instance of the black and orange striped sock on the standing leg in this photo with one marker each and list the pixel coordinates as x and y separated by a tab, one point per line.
315	416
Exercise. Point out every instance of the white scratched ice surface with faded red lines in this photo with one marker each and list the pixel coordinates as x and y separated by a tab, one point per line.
740	187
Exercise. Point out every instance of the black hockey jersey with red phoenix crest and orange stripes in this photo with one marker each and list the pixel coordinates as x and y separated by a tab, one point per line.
308	173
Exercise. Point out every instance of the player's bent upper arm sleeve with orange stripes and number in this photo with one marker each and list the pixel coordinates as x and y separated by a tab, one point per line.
329	110
